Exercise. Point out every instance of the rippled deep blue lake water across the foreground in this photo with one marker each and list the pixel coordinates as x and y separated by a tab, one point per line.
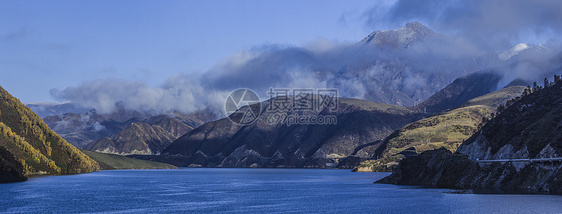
249	191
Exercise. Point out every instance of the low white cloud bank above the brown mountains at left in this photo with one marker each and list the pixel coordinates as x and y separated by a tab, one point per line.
180	93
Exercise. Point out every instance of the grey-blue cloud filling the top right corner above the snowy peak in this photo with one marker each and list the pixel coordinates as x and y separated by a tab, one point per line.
490	24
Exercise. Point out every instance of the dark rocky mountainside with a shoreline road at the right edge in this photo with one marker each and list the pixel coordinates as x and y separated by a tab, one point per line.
529	128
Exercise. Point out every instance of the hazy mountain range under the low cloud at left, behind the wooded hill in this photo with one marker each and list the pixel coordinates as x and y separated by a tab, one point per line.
87	129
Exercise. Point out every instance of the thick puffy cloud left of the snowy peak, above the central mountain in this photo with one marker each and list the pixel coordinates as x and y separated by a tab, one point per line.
276	66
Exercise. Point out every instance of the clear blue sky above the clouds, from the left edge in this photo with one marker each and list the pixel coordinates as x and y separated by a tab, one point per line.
57	44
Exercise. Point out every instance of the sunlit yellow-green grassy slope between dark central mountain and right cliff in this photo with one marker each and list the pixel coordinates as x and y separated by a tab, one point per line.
448	129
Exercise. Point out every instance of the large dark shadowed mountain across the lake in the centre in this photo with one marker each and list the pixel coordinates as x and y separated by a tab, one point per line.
223	143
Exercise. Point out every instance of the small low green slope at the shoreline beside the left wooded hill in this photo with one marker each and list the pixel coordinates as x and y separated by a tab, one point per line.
109	161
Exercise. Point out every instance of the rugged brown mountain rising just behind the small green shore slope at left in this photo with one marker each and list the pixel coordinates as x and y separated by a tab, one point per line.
143	138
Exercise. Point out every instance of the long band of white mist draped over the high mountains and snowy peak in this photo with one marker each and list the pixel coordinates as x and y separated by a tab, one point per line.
403	66
